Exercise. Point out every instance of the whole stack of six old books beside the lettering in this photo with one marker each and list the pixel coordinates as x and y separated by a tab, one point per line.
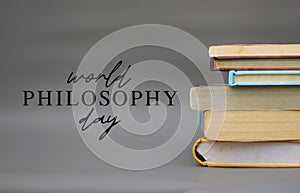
260	124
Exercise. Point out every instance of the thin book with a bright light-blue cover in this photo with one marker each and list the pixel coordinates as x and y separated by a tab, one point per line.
263	77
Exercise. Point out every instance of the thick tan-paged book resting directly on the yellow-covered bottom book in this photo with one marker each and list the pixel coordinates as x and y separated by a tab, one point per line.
244	126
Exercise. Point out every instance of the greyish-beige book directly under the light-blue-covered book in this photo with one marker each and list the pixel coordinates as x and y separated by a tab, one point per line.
245	98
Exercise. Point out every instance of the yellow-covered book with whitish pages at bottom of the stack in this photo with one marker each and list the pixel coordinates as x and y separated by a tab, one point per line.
281	154
